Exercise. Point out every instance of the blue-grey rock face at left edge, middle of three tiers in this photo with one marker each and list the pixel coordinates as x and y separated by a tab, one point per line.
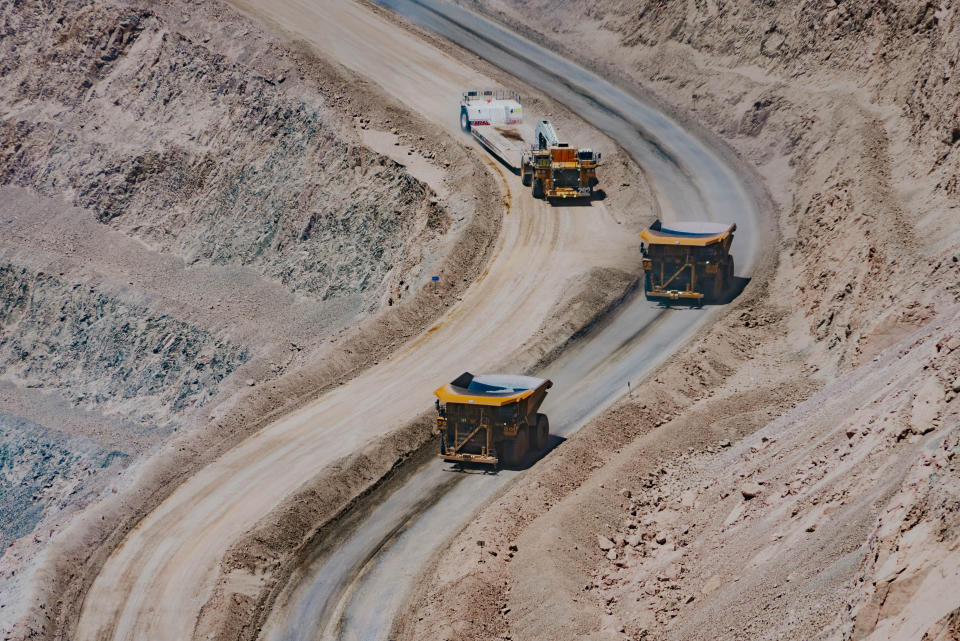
106	354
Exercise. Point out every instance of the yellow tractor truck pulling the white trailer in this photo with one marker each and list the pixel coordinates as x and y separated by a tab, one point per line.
555	170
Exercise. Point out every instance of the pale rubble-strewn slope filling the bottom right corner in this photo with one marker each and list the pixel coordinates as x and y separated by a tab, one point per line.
834	521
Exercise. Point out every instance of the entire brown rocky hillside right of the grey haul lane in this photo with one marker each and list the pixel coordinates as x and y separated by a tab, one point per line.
849	114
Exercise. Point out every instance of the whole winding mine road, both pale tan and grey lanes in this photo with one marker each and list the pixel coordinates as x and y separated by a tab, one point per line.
155	583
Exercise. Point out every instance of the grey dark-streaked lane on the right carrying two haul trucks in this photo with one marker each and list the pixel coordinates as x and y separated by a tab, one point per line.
356	586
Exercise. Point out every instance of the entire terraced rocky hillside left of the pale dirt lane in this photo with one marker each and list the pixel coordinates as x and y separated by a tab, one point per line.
190	207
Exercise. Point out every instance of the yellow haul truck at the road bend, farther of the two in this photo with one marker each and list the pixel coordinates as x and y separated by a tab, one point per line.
687	261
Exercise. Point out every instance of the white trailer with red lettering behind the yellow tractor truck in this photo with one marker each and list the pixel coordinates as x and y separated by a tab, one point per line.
495	118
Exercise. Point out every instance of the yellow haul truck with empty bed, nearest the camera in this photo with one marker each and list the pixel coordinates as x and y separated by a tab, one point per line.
492	419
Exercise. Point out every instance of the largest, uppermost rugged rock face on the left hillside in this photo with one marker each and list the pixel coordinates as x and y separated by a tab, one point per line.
171	142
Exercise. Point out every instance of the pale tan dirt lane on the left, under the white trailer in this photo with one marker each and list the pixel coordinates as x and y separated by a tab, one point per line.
154	585
